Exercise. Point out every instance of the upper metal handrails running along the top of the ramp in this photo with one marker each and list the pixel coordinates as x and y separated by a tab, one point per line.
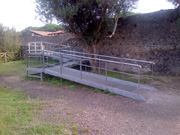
67	50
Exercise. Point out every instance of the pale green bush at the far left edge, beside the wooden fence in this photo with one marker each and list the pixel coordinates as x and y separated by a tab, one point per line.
9	42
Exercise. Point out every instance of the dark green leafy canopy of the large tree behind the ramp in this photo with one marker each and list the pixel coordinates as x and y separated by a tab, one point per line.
89	20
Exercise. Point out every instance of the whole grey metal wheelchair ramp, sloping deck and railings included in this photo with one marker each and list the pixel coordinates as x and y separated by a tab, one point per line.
69	58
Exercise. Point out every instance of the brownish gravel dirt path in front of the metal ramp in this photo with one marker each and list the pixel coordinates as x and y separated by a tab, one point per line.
108	115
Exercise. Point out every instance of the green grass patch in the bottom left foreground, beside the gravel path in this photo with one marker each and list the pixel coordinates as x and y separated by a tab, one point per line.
17	115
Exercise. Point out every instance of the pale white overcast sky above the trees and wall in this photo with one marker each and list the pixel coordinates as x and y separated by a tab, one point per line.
20	14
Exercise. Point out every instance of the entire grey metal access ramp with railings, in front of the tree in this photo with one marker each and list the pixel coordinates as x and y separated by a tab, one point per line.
59	61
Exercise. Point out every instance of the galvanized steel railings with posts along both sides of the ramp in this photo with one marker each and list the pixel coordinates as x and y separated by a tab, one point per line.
103	62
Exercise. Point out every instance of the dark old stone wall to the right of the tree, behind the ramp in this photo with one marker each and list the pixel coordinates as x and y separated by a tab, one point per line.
153	36
